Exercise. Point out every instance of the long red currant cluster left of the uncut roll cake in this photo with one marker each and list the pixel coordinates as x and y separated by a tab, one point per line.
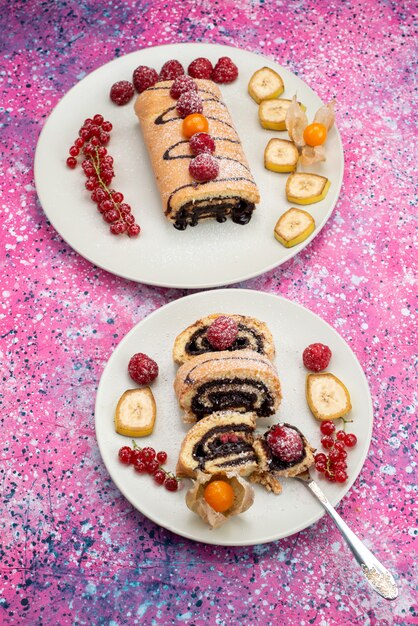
97	165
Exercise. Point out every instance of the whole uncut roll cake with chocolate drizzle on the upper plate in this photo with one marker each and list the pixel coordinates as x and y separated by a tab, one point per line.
233	193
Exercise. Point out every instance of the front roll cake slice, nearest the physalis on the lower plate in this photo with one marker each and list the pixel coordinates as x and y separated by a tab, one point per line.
219	443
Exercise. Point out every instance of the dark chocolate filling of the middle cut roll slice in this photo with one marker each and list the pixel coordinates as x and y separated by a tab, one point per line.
231	395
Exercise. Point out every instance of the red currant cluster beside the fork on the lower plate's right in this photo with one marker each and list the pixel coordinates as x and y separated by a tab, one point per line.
334	466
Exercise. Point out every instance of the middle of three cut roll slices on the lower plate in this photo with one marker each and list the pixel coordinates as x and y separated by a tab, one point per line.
243	381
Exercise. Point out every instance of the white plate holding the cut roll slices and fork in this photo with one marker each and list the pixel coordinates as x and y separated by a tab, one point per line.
293	327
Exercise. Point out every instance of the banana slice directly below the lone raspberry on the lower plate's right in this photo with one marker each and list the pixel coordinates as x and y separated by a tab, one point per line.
327	396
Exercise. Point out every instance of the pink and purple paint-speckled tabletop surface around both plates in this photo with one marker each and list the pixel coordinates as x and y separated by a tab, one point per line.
73	550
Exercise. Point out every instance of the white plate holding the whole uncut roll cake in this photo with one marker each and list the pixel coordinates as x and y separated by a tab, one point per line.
162	255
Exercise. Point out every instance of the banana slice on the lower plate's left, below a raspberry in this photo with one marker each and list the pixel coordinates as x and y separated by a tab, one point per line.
135	413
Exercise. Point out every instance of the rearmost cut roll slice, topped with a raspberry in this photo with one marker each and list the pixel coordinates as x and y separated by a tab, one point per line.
252	335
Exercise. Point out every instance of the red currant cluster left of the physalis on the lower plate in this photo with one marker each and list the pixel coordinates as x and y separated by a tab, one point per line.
147	461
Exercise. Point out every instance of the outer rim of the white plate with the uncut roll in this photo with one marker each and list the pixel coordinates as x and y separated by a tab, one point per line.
210	284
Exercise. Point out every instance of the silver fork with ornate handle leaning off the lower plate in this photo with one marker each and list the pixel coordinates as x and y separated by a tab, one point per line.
378	577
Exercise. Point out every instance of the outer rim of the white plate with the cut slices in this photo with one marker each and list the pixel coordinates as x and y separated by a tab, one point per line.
333	500
